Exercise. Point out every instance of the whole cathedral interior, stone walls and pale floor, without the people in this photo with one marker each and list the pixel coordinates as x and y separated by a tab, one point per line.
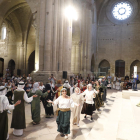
75	37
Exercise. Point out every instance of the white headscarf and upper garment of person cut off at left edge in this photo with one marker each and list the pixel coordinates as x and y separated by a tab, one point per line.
3	92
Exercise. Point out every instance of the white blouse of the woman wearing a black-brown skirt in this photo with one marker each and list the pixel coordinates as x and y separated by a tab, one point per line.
89	96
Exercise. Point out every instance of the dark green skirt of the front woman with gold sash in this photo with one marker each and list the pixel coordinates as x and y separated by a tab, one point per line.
63	122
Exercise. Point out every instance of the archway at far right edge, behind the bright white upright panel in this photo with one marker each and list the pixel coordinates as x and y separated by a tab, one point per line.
135	63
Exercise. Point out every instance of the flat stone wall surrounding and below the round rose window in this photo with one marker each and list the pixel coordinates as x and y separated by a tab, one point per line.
118	41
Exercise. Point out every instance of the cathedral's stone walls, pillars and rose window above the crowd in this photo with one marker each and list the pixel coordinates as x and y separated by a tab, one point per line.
91	36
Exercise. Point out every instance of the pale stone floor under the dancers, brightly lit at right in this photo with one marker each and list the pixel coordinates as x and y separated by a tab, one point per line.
119	119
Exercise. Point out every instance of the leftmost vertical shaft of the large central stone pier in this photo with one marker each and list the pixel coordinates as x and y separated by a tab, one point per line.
42	34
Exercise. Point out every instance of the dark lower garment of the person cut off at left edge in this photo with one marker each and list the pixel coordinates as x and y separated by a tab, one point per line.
3	125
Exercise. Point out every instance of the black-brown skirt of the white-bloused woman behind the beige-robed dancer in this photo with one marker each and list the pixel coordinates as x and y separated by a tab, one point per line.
88	109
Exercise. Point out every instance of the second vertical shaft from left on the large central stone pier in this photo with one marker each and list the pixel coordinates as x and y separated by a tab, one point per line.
48	36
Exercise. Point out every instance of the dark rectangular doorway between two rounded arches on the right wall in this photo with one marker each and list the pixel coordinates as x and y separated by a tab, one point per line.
120	68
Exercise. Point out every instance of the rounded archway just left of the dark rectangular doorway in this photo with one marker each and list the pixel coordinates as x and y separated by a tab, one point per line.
104	68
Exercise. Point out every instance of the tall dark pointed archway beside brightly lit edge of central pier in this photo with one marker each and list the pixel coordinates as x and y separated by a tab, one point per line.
31	62
